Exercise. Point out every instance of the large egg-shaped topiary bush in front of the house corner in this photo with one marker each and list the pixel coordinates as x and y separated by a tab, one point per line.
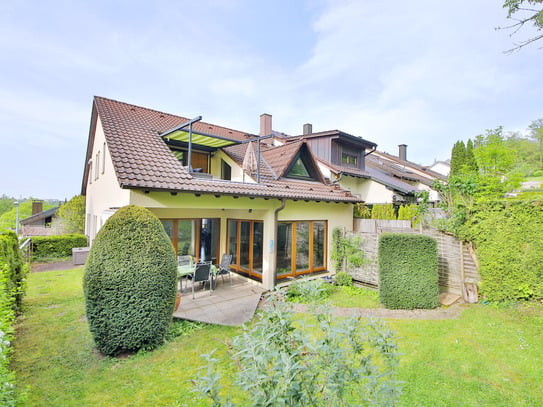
130	282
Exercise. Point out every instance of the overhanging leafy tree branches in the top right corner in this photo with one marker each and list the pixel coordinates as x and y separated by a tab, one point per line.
524	12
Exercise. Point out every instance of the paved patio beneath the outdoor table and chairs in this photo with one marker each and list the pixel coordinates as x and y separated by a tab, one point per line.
228	305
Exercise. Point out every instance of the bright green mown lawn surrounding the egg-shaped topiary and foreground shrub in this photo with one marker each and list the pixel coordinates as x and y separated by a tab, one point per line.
489	356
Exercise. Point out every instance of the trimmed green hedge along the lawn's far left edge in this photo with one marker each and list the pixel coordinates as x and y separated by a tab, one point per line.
13	273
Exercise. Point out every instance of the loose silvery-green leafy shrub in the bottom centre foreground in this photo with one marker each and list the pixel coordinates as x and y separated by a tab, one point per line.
351	362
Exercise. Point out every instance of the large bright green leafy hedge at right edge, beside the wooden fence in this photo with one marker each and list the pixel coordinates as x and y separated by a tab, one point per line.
509	238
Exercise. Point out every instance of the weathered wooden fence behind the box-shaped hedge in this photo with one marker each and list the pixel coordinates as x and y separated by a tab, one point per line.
457	265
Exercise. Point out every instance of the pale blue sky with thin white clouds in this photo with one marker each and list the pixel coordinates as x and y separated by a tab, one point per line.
424	73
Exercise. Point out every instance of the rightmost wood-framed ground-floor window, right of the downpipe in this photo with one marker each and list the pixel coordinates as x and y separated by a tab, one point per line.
301	248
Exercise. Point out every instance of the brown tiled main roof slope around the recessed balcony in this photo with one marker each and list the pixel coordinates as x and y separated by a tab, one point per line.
142	160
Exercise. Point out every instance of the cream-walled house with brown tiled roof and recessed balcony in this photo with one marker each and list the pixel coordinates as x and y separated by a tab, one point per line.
216	190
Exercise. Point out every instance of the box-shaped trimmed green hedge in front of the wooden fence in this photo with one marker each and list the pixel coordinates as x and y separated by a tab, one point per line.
408	273
